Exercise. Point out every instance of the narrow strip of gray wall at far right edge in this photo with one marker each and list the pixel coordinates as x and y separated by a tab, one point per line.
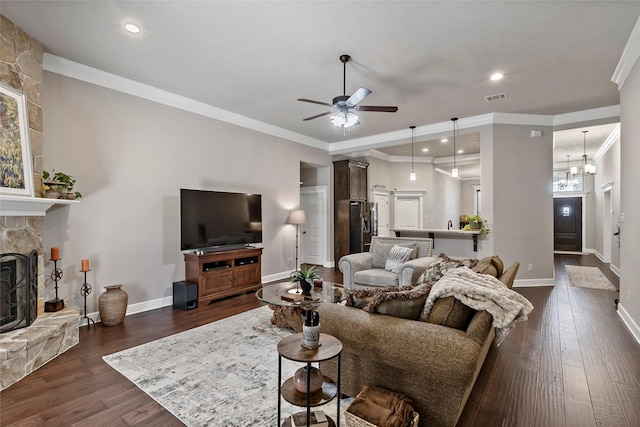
629	200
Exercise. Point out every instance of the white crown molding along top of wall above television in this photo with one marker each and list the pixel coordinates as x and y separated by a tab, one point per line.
74	70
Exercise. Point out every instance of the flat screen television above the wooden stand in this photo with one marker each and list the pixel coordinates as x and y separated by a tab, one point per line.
219	220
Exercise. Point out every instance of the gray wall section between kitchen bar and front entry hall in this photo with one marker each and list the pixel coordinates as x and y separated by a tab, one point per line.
517	199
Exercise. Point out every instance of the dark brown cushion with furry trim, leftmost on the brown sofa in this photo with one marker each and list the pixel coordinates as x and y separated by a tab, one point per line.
405	302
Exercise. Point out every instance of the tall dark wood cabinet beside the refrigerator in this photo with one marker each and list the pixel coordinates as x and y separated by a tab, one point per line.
351	209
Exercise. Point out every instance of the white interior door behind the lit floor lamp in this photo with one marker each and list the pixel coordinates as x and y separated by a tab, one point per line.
313	238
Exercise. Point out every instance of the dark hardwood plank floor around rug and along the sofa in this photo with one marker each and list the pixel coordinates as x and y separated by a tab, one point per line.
573	363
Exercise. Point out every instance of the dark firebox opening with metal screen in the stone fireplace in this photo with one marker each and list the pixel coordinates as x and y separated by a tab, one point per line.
18	290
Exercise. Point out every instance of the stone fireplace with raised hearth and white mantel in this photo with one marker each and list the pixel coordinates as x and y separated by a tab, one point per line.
47	335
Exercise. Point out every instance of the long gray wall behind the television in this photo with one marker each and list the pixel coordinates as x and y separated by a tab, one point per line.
131	156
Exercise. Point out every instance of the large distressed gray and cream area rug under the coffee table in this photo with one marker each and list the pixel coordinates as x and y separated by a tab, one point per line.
221	374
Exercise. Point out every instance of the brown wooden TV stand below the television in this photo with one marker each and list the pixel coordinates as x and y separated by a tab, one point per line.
224	273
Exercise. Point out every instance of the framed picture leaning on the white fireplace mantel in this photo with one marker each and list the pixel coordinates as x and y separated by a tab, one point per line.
16	177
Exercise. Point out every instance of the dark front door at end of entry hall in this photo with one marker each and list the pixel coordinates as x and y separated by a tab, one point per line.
568	224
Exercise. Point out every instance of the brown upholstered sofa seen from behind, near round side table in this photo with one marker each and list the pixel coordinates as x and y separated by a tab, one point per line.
434	365
